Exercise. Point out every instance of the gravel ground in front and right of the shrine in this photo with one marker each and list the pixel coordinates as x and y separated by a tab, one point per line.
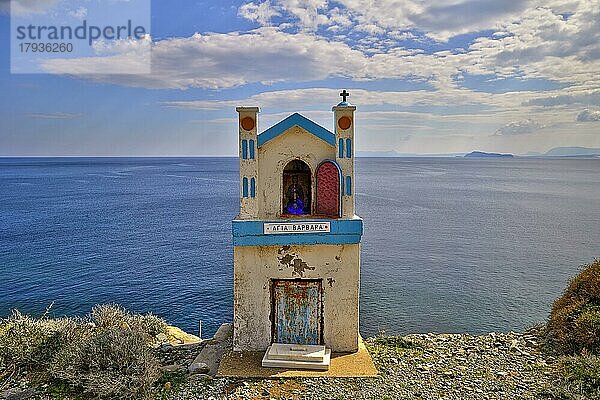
431	366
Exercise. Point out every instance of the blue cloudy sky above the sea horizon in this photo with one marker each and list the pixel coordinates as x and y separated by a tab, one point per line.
427	76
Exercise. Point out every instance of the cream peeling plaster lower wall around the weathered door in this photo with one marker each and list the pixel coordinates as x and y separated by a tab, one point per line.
255	266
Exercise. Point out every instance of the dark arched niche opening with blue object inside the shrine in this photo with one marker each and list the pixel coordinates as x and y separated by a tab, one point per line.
296	188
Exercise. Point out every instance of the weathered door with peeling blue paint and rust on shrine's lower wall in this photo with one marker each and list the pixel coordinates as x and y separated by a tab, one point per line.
297	311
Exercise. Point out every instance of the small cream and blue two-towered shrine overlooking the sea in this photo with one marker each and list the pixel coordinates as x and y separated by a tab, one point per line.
297	240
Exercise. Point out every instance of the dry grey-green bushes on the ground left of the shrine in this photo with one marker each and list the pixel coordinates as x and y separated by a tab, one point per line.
105	355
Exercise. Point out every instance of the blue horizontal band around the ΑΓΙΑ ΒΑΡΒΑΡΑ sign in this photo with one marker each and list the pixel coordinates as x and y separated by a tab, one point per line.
250	233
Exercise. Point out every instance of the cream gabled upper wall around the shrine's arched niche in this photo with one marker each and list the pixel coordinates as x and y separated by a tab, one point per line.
295	143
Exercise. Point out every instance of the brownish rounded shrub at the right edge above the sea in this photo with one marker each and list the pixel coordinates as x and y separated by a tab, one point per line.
574	323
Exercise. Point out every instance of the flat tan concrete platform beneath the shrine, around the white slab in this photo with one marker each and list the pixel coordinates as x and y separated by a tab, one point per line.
247	364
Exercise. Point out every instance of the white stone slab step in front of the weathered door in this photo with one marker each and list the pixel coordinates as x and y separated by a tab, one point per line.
290	356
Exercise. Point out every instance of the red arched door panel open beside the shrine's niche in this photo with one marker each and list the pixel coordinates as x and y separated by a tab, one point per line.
328	189
